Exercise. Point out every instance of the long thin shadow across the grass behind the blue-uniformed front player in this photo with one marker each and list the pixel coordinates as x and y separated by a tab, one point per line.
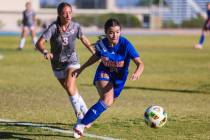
162	90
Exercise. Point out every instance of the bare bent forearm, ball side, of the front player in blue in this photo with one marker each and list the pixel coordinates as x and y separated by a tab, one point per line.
139	69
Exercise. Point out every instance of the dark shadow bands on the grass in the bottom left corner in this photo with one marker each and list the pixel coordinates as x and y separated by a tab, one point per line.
28	126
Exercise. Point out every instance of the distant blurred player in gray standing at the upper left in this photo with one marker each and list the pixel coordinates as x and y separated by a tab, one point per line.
28	23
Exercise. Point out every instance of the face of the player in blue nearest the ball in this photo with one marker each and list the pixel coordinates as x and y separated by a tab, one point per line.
113	34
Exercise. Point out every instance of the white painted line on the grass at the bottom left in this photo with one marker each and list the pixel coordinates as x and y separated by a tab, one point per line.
42	126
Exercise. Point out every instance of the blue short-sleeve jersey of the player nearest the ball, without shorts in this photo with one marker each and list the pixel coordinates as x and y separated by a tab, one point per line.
117	56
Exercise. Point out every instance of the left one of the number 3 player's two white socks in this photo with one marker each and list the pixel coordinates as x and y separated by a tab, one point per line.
76	106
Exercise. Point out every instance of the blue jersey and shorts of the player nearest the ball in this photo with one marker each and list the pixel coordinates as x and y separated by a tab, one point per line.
115	61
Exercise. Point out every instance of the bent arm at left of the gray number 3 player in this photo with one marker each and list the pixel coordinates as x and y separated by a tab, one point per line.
40	47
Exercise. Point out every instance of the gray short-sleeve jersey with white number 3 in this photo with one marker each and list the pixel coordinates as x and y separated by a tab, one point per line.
63	44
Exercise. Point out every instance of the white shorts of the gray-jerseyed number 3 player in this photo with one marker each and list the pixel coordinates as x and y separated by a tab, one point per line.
63	73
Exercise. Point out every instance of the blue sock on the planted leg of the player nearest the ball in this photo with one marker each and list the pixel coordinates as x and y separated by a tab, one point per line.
94	112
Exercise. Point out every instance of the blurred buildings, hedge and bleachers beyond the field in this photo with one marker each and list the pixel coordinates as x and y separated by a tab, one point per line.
91	14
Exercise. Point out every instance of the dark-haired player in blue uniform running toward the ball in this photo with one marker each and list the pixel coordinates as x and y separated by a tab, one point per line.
114	53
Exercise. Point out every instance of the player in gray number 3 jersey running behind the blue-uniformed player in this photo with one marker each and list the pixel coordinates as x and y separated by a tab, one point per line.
62	35
